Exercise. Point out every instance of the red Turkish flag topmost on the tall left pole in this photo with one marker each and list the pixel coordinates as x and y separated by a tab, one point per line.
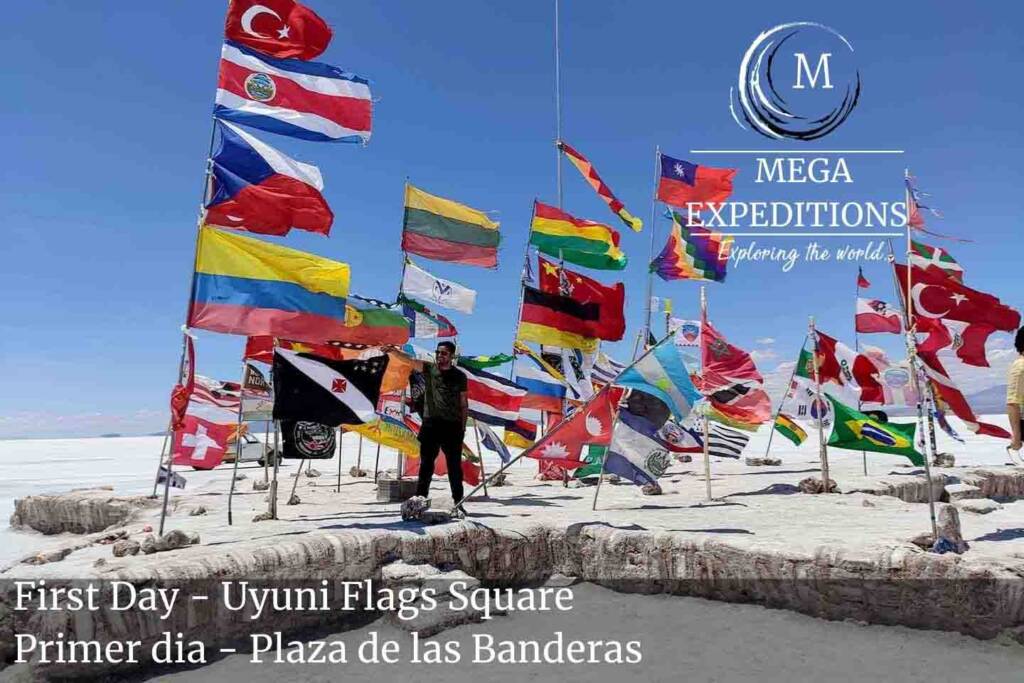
282	29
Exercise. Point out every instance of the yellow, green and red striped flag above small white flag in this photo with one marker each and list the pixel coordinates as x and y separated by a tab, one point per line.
446	231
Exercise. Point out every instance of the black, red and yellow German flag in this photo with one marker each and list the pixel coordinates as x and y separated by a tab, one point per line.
559	321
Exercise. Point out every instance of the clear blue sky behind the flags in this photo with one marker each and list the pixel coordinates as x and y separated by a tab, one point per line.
109	110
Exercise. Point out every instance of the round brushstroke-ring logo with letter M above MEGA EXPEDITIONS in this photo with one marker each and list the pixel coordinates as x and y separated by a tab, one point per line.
797	81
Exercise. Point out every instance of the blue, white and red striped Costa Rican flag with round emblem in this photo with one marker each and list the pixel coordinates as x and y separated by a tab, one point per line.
307	100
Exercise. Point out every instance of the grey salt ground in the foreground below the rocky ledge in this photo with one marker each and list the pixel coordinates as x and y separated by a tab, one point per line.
682	639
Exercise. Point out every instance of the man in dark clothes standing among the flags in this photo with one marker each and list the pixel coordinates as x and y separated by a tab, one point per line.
445	410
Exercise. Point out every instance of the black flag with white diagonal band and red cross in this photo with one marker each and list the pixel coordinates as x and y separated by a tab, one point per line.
331	393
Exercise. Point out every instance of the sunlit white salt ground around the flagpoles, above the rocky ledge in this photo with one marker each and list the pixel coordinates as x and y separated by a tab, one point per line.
754	507
